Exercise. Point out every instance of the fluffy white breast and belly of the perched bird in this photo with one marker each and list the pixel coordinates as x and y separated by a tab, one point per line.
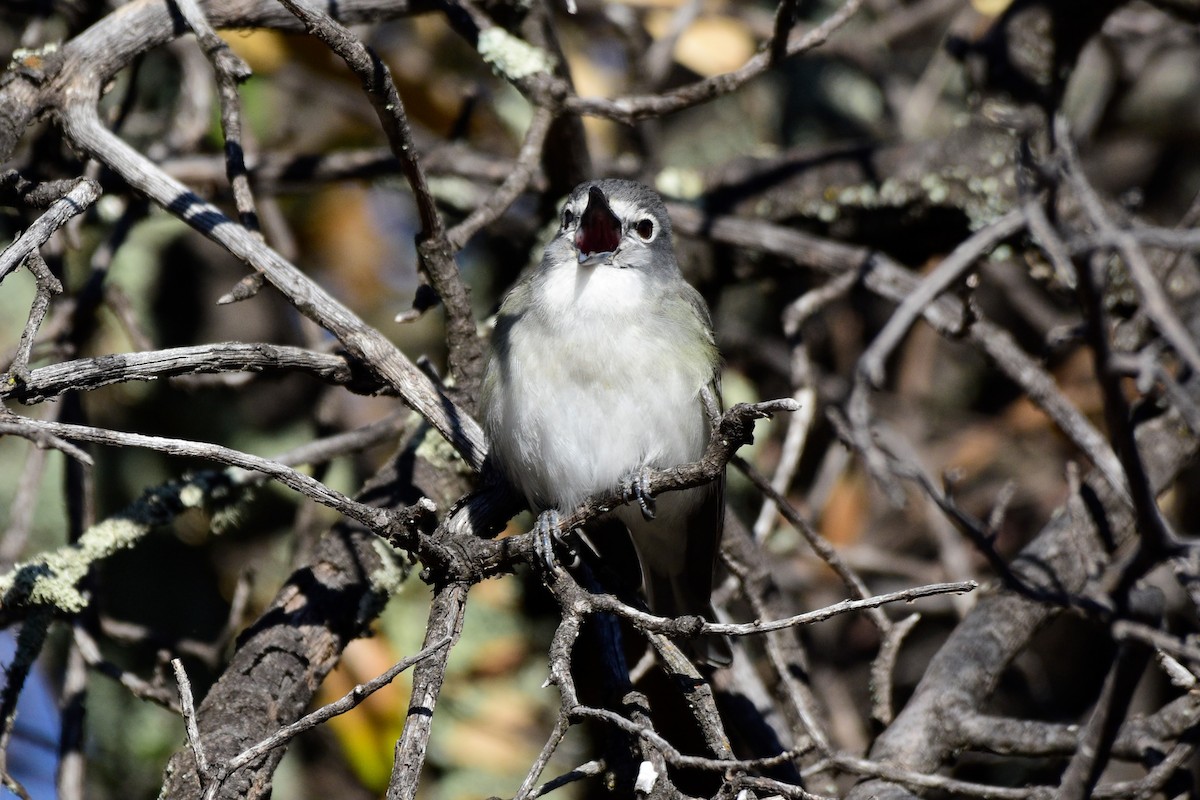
598	388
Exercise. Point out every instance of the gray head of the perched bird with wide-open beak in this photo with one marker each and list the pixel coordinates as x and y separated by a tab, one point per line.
615	224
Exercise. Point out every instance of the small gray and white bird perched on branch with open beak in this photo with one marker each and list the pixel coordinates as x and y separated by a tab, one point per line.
601	365
